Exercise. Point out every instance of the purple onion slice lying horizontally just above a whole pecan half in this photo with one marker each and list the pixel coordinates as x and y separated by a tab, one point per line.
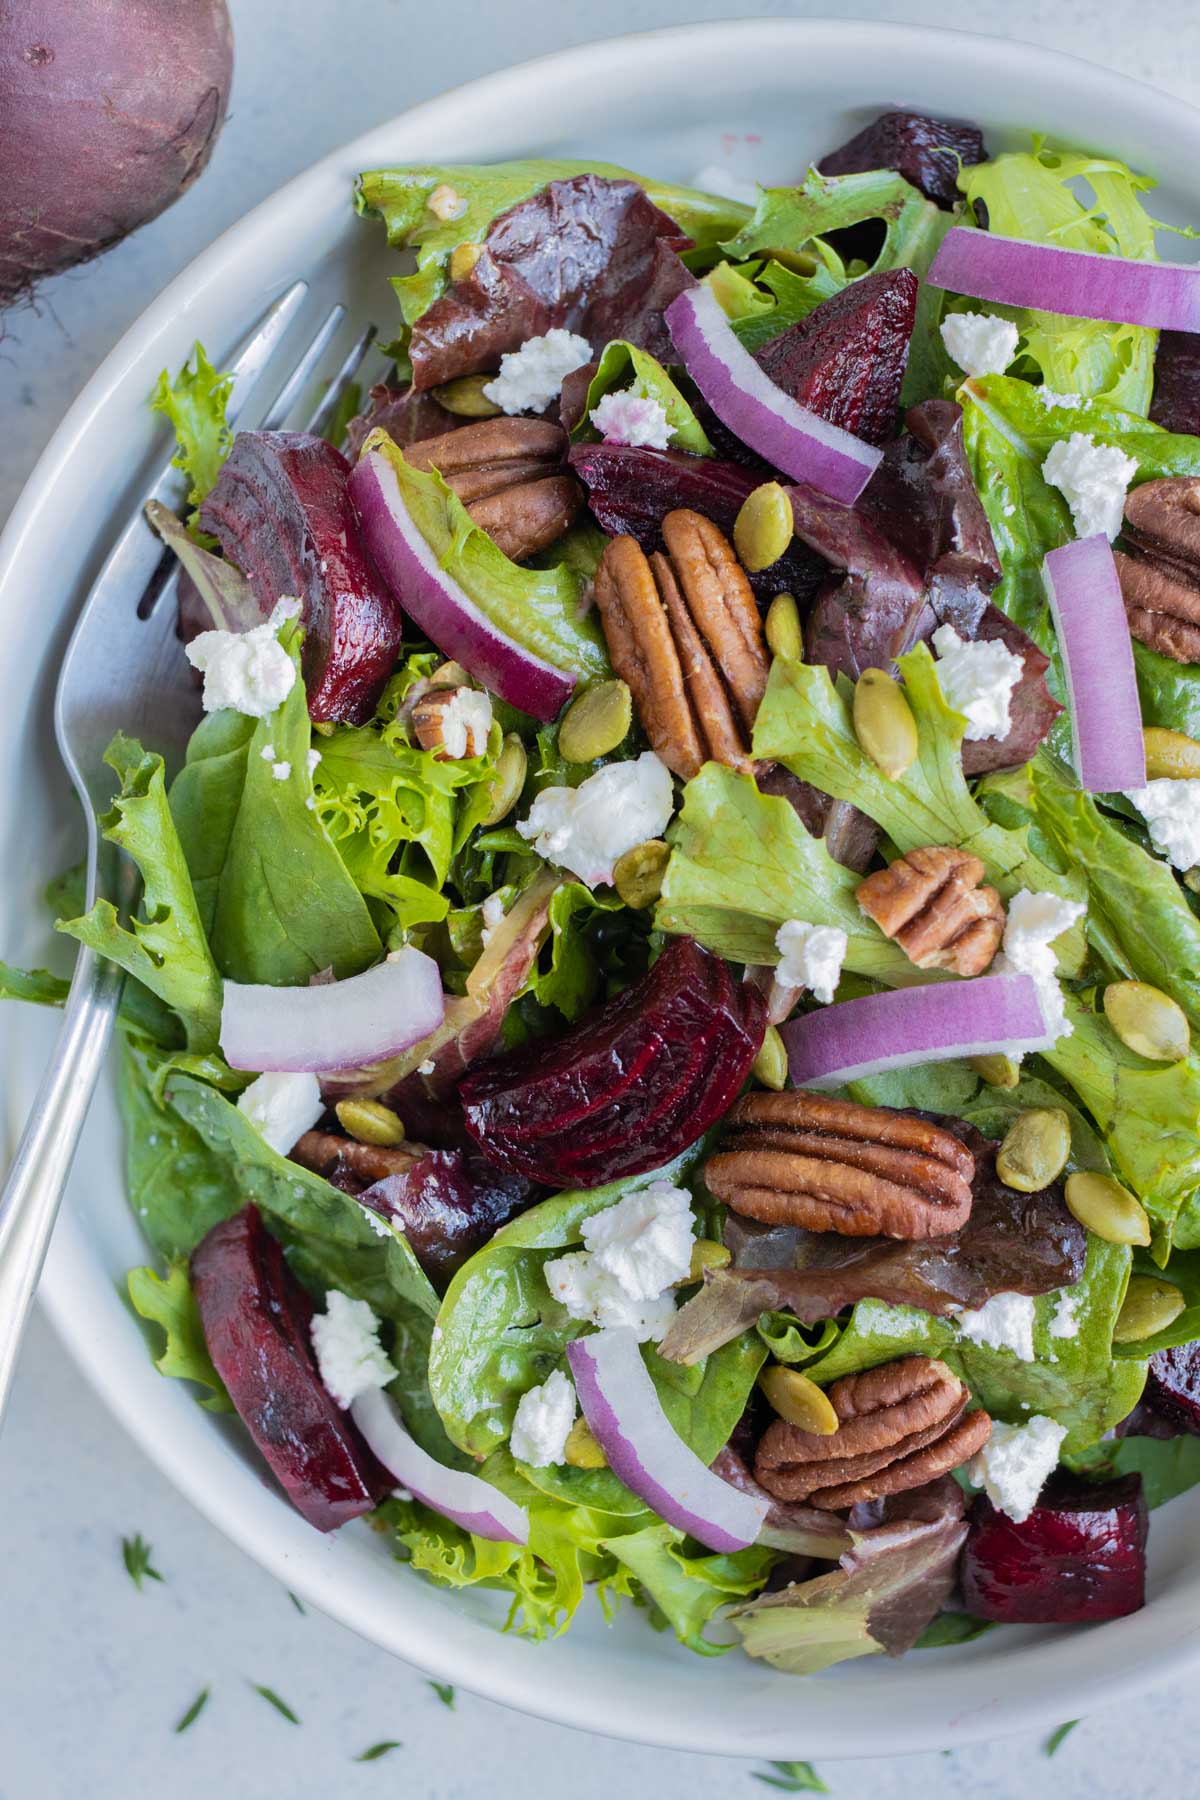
845	1043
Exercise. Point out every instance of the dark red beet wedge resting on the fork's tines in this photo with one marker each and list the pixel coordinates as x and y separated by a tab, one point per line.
282	512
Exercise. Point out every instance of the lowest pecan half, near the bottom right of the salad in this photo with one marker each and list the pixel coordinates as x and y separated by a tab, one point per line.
900	1426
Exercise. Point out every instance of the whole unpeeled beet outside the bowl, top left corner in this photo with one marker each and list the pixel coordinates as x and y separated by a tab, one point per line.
109	112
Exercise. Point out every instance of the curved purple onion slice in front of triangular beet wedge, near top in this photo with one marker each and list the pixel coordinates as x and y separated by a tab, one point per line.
793	438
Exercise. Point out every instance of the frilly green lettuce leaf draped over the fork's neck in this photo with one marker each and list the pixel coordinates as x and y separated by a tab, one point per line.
166	946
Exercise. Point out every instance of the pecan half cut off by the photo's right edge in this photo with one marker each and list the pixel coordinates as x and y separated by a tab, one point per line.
1161	573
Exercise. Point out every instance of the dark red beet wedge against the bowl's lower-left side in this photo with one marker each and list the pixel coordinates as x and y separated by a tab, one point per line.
256	1322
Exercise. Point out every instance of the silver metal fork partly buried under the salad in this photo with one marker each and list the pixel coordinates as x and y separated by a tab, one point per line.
123	670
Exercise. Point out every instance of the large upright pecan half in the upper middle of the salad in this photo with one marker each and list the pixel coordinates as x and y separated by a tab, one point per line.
686	636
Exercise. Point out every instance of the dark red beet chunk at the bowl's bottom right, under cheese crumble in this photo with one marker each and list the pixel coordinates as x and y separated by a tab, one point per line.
1079	1558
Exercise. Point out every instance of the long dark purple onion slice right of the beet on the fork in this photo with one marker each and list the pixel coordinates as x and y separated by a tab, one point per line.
442	607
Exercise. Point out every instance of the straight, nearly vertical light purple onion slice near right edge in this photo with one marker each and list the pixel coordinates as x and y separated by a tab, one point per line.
1098	661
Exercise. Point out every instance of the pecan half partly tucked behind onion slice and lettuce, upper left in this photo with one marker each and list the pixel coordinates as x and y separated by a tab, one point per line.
512	476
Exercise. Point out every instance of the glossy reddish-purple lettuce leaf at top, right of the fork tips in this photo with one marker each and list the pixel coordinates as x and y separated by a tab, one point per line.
589	255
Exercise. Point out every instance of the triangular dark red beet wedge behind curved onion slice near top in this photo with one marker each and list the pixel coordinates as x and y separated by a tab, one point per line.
848	359
